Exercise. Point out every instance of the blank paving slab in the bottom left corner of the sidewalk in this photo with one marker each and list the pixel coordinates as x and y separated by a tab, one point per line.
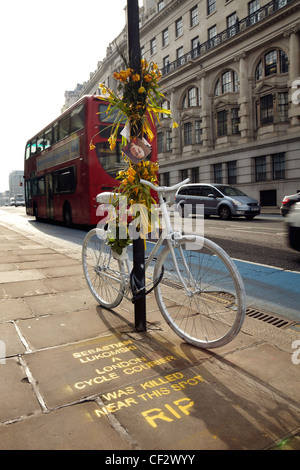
72	428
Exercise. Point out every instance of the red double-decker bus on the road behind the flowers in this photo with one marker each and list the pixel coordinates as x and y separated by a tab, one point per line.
62	175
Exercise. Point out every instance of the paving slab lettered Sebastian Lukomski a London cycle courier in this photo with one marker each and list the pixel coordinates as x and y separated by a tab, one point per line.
99	365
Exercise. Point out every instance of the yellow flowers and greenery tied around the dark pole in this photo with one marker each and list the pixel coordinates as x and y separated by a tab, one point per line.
138	102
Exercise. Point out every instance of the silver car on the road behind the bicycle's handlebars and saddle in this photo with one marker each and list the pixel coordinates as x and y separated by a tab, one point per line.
218	199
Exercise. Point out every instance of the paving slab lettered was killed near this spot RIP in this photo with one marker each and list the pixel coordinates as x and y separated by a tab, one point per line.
204	407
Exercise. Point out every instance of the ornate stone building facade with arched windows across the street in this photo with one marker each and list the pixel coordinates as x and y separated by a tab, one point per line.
231	77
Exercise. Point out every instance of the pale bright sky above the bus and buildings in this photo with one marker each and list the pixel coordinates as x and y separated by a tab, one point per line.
47	47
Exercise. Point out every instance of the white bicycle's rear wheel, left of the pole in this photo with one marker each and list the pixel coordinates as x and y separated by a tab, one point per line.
104	275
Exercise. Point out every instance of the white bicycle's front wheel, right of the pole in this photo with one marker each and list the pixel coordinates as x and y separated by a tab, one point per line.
202	295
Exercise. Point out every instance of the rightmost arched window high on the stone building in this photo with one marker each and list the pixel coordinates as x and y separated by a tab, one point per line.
273	62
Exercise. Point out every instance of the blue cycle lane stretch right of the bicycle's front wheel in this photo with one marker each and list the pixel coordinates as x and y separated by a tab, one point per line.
271	288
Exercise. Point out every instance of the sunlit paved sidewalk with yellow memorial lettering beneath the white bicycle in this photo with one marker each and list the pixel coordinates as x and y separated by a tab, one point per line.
74	376
